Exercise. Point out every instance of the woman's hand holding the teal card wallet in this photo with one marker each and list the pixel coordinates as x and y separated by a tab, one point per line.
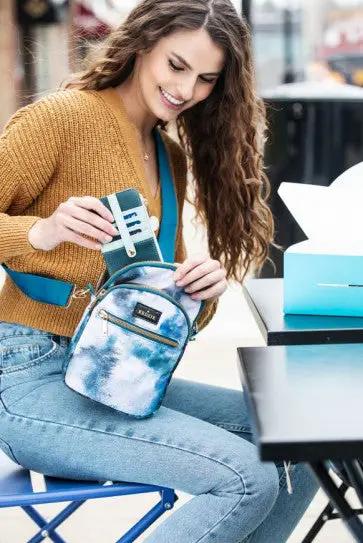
71	221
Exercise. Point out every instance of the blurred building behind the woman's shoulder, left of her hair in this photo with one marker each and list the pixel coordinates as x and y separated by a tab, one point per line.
41	41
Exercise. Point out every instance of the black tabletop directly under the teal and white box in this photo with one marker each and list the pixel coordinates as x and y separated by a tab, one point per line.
265	298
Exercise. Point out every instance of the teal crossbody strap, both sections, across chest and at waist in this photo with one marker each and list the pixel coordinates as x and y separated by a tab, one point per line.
57	292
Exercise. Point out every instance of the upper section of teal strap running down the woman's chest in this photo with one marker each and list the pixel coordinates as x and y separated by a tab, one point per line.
169	204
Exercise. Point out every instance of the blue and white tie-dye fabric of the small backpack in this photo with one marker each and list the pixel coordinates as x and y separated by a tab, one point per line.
121	368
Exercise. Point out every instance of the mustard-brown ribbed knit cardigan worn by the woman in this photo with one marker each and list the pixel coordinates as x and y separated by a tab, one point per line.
70	143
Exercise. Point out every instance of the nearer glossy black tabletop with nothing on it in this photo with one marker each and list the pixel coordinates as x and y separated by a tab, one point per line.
306	400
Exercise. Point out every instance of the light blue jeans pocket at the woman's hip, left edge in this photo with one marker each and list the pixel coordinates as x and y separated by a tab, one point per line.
23	351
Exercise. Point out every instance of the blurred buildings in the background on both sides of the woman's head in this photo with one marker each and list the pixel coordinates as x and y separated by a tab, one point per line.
41	41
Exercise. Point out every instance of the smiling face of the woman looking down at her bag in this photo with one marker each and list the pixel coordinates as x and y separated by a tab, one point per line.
180	71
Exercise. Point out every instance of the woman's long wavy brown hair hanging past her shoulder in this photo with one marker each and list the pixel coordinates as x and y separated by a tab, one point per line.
222	136
